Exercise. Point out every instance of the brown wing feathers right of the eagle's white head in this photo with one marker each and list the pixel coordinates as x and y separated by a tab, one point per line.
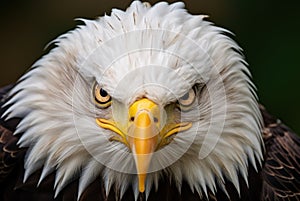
281	172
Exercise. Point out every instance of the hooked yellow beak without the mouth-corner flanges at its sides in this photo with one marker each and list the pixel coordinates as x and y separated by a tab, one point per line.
143	135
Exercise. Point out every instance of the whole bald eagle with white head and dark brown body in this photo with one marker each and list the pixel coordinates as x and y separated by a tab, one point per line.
151	103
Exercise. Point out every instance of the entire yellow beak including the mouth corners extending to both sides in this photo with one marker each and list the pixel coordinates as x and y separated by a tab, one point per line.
143	134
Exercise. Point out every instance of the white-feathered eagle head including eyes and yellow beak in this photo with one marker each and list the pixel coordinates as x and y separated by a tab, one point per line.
142	93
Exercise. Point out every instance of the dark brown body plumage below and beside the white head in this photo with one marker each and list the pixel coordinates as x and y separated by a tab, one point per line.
279	179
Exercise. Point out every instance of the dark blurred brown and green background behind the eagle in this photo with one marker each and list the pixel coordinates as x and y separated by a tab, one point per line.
268	31
